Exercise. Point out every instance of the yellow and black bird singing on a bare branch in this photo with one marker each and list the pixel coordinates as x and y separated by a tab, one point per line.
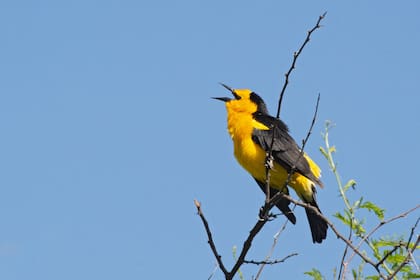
252	130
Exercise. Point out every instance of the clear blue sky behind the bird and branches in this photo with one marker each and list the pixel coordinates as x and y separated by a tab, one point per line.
108	131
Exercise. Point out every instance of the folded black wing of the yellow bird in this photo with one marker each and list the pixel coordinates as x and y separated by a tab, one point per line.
285	150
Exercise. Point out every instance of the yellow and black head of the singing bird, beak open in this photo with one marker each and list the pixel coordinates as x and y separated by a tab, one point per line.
244	100
